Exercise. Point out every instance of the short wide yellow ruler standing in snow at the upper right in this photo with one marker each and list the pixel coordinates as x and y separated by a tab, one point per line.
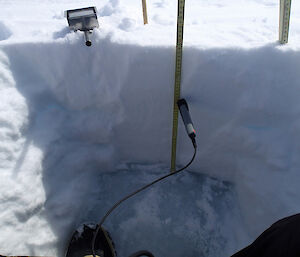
284	20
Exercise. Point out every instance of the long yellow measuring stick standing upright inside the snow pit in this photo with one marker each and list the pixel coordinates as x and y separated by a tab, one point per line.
178	65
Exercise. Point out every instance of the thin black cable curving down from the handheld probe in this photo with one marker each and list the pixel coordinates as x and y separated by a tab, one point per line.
136	192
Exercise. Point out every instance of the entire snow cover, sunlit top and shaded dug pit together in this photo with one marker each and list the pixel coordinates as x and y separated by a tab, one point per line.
81	127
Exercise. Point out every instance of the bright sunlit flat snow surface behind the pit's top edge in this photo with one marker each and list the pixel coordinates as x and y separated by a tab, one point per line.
236	23
